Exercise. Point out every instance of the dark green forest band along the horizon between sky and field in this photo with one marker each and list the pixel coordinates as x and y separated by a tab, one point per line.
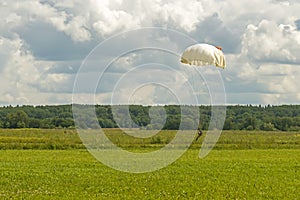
168	117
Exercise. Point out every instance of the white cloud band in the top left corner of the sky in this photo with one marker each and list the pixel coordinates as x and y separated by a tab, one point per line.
19	13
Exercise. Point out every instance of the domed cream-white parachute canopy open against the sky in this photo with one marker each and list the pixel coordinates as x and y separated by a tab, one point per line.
204	54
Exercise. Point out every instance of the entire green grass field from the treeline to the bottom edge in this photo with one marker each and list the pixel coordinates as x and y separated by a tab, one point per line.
244	165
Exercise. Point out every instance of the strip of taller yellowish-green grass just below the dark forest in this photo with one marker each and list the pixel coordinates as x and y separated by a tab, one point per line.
69	139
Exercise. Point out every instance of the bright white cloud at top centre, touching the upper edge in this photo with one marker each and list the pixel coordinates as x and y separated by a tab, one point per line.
114	16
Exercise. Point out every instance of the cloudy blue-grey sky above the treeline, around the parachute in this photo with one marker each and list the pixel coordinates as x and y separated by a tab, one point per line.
124	51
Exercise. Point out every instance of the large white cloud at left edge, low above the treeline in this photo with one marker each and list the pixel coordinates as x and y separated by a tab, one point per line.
23	77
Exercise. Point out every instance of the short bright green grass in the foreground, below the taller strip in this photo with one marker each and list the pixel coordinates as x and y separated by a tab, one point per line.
224	174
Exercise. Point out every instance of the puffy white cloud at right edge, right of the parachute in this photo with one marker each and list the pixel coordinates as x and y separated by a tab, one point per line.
270	42
